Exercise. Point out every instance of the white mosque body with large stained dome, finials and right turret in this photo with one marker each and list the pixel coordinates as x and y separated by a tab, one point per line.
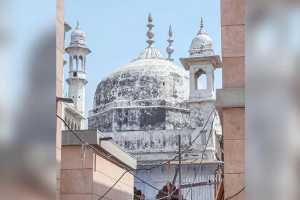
145	104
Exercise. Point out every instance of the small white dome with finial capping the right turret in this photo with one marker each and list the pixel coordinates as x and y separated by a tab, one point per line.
202	44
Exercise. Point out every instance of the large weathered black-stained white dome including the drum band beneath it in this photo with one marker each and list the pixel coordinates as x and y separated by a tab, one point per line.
141	95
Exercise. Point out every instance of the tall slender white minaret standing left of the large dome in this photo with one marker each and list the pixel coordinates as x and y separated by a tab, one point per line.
77	51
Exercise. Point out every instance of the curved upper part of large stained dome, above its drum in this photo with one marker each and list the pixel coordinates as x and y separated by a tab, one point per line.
148	77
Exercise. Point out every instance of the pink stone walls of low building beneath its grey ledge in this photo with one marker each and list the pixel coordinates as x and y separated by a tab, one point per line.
92	179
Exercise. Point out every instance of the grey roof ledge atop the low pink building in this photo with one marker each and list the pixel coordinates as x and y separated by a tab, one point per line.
93	137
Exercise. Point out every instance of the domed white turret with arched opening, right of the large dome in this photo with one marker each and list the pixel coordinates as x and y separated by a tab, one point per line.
201	64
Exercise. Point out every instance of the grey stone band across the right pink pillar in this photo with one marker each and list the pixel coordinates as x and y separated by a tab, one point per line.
230	98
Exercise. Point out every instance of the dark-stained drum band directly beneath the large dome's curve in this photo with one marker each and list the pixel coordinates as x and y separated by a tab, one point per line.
140	118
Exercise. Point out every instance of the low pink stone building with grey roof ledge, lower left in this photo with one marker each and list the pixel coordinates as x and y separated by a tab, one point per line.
87	174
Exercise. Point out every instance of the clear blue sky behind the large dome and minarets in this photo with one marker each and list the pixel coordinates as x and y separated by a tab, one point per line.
116	31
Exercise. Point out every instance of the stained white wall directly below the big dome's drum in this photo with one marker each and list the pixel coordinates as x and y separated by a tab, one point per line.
159	145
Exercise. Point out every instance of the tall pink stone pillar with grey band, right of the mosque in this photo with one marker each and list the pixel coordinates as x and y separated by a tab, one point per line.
230	99
